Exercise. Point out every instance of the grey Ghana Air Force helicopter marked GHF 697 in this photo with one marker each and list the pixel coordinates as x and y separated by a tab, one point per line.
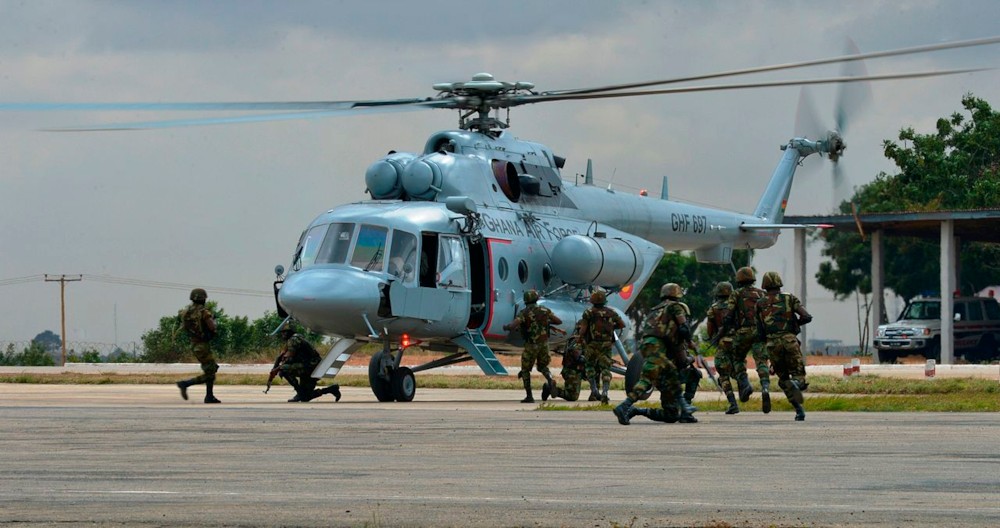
454	235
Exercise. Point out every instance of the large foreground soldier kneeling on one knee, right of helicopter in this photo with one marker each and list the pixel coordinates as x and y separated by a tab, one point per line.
664	335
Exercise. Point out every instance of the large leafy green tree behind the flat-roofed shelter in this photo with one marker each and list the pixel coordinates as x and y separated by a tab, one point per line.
955	167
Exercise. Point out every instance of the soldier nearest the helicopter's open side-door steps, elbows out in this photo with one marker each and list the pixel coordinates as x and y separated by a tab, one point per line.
534	322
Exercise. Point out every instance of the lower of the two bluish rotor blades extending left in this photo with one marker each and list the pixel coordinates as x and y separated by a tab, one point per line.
257	118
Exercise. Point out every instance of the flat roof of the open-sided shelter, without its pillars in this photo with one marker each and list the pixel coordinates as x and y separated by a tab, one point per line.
980	225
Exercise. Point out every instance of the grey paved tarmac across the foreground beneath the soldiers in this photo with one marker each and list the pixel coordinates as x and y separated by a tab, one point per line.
139	455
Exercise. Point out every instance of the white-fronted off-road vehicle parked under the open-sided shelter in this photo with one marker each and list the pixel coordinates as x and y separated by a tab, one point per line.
918	330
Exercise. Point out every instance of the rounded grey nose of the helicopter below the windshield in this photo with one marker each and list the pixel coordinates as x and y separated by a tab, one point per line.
331	301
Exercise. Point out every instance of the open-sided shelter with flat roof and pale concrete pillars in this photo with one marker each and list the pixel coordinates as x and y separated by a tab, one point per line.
950	227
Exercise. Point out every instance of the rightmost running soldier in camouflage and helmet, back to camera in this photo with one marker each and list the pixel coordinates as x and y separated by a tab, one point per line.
779	316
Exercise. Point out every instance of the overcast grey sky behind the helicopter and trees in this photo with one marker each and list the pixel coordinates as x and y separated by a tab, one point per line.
220	206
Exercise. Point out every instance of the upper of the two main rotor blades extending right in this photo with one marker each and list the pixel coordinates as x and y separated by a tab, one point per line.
787	66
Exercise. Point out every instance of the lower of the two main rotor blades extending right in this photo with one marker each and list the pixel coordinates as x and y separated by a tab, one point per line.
528	99
